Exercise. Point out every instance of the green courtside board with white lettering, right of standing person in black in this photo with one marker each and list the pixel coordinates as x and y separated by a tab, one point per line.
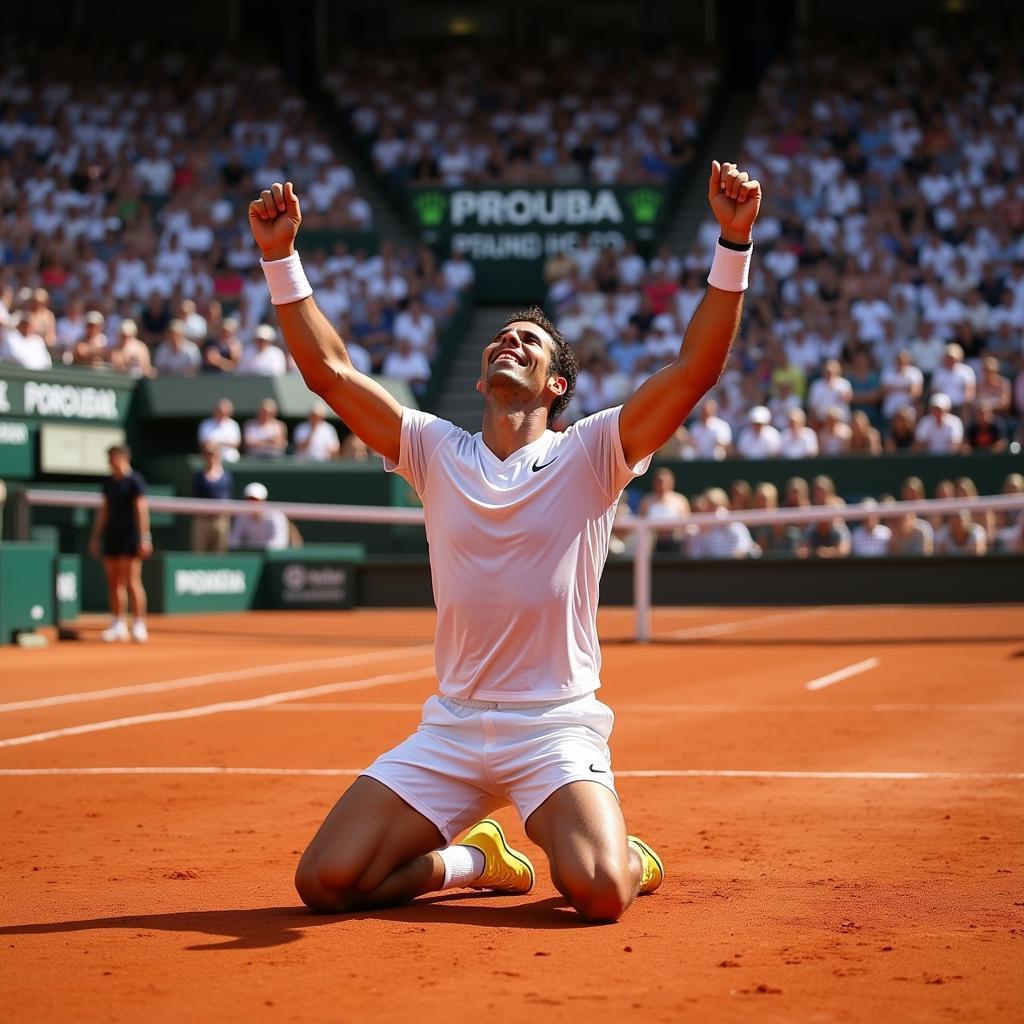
184	583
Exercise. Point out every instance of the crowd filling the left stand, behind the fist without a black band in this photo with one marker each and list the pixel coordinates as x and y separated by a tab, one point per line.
125	175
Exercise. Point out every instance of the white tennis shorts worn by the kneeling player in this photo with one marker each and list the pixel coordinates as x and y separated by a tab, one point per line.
464	762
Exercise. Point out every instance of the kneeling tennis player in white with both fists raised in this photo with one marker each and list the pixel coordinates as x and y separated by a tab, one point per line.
519	520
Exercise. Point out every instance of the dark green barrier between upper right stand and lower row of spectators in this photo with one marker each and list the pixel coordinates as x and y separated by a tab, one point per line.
856	477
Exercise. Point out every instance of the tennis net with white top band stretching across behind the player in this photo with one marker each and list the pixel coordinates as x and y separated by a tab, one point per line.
928	571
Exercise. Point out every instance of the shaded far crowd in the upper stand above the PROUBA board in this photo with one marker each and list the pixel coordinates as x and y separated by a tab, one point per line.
456	114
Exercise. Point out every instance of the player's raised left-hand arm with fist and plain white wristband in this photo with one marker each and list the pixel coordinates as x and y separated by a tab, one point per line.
371	412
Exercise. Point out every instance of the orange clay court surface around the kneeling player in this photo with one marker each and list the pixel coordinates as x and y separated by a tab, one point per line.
842	828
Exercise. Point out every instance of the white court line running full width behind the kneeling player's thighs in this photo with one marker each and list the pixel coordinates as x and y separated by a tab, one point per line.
897	777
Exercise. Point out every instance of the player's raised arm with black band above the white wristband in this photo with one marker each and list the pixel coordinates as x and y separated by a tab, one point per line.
655	412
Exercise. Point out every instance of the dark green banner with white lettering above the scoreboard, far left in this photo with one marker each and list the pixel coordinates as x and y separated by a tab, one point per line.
63	395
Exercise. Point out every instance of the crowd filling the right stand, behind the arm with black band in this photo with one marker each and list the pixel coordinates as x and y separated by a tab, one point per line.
886	311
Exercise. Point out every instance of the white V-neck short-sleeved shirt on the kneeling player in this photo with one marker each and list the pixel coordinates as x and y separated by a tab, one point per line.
517	551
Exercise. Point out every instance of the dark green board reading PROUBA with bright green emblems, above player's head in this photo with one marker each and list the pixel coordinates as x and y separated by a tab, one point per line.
509	234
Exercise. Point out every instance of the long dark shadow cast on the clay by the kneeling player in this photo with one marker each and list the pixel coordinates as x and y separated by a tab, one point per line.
263	928
